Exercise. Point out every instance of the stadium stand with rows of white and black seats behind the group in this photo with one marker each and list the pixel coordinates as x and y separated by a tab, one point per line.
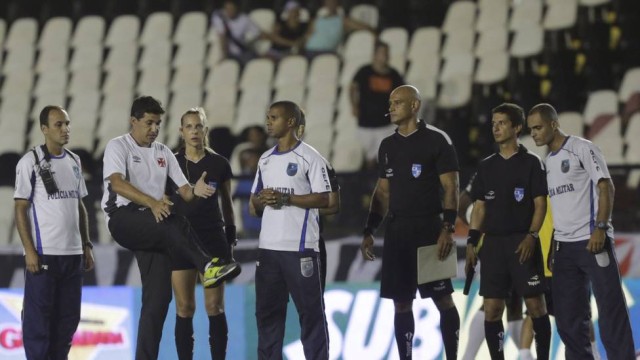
464	56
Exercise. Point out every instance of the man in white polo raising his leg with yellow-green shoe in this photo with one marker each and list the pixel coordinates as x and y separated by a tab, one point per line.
136	171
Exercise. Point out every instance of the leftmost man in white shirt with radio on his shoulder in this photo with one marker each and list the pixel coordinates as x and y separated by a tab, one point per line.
52	223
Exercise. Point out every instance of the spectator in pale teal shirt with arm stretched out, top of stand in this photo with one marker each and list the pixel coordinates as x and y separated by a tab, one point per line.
327	30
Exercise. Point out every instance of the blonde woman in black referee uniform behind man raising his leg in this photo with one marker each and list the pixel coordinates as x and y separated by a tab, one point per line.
216	235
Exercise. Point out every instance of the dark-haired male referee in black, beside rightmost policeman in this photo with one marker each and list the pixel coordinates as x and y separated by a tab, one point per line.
510	193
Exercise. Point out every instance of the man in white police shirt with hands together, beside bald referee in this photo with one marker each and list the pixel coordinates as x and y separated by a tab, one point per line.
292	182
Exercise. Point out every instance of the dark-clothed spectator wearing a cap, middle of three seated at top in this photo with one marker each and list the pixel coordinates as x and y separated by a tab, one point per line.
287	36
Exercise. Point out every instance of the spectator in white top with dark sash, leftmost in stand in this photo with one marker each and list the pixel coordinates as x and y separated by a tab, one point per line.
236	32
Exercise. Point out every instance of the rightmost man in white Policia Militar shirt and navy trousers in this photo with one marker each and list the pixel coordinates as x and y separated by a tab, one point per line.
581	193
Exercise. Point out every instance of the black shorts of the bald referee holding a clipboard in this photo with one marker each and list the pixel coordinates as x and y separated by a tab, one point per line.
399	278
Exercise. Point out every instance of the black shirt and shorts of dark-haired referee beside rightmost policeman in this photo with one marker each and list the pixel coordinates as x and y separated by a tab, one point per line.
508	187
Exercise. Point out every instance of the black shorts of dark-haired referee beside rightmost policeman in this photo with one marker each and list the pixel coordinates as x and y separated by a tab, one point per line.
501	271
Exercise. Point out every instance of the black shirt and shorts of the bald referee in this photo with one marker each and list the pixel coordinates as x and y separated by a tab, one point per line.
413	165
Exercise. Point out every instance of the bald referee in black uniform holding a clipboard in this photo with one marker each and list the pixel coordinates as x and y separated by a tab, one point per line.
413	164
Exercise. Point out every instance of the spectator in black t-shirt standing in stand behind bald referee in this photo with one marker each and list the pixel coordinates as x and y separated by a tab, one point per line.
369	94
